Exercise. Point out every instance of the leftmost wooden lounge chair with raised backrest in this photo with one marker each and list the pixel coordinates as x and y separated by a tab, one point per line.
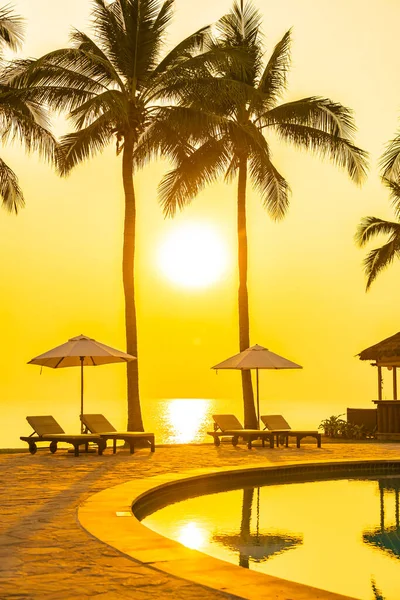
48	430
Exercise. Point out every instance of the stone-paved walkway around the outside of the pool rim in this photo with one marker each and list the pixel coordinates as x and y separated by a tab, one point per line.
45	553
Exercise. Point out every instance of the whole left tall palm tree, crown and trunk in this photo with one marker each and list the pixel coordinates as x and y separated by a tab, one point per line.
115	87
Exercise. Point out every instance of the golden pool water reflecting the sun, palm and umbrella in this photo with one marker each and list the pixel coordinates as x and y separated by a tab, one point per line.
338	535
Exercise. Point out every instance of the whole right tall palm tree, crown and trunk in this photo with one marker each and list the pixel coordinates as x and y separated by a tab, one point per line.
237	145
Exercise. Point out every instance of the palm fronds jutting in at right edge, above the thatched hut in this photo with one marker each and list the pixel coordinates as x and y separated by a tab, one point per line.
380	258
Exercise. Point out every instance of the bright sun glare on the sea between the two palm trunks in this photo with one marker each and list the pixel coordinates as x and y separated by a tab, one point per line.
187	419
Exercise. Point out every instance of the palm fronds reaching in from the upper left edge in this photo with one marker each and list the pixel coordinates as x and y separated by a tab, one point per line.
21	119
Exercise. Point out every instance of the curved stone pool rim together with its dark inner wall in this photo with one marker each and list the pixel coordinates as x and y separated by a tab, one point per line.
111	516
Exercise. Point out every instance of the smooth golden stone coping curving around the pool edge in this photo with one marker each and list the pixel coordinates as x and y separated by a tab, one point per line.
108	516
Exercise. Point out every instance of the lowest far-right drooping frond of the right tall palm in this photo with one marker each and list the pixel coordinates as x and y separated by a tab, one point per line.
340	150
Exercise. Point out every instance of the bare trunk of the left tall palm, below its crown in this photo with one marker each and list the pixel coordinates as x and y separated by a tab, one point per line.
135	422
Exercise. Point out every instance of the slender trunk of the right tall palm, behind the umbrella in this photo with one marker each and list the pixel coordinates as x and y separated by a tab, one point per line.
250	419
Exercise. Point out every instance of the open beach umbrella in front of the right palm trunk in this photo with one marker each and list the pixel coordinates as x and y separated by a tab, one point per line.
257	357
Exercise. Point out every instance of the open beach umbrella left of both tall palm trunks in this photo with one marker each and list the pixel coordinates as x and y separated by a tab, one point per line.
81	351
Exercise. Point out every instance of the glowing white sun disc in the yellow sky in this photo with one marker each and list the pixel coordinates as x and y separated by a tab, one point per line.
193	256
